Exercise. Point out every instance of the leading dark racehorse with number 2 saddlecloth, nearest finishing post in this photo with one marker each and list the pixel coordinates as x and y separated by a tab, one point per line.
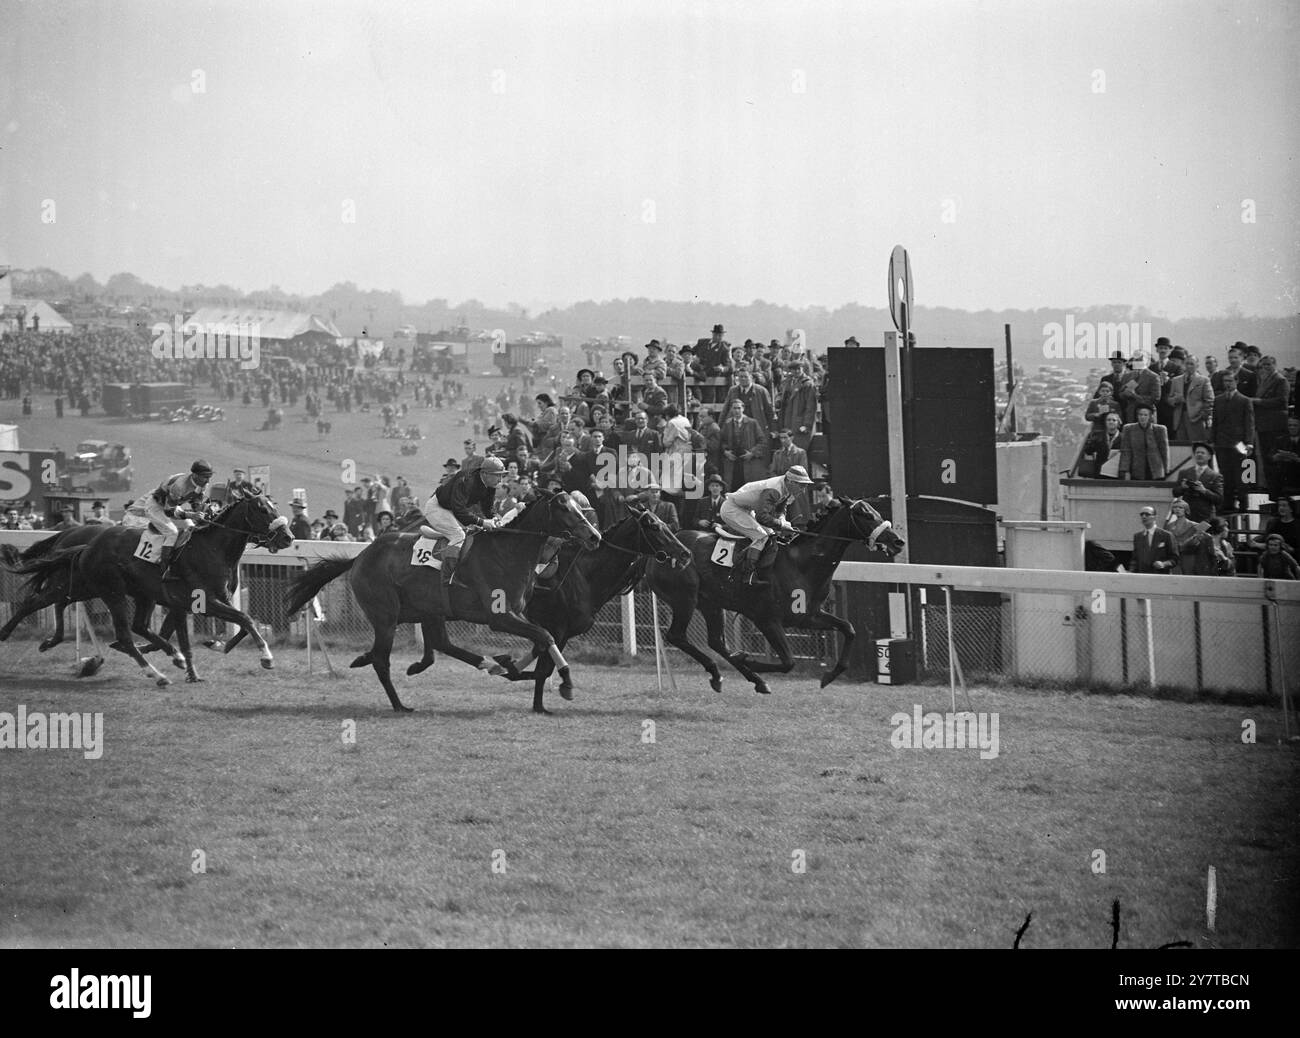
795	596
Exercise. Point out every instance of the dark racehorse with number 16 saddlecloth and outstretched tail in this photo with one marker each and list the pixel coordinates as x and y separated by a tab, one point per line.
499	572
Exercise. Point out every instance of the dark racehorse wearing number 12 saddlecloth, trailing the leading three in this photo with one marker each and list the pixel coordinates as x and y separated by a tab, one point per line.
106	568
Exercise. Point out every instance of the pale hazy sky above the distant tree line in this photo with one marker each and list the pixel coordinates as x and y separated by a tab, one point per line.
1026	154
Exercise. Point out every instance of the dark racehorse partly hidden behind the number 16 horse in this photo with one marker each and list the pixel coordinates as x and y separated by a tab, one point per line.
586	582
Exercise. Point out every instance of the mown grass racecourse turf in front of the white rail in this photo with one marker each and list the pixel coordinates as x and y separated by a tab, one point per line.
474	823
